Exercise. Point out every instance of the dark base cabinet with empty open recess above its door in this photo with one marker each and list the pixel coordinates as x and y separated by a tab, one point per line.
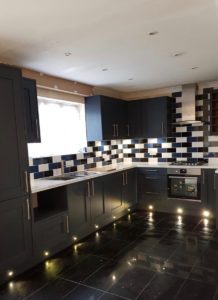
50	222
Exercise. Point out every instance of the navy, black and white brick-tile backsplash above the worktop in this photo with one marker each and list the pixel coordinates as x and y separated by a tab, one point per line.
190	142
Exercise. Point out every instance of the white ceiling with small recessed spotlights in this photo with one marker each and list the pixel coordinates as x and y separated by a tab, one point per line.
113	34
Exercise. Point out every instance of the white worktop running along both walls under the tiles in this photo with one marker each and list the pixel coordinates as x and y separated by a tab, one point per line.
39	185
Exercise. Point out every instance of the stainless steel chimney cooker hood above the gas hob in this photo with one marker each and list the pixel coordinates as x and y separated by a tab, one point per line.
188	105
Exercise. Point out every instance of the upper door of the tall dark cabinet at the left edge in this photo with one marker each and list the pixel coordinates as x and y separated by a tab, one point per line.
13	159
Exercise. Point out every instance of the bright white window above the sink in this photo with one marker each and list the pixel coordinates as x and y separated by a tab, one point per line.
62	126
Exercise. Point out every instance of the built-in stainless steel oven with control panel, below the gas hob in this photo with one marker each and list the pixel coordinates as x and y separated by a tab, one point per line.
184	184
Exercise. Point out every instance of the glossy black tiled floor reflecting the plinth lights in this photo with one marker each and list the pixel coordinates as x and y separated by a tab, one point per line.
140	257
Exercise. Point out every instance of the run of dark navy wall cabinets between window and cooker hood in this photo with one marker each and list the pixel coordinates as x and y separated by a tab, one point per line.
109	118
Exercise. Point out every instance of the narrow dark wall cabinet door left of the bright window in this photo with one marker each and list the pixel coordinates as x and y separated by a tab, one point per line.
31	111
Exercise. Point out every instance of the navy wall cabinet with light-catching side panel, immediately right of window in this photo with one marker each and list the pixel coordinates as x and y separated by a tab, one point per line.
106	118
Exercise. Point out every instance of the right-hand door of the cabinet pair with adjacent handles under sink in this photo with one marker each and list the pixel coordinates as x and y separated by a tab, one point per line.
97	201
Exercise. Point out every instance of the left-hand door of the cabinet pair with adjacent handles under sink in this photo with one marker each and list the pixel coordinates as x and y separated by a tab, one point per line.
78	208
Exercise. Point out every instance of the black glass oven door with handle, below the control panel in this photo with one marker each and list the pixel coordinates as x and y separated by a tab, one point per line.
184	187
